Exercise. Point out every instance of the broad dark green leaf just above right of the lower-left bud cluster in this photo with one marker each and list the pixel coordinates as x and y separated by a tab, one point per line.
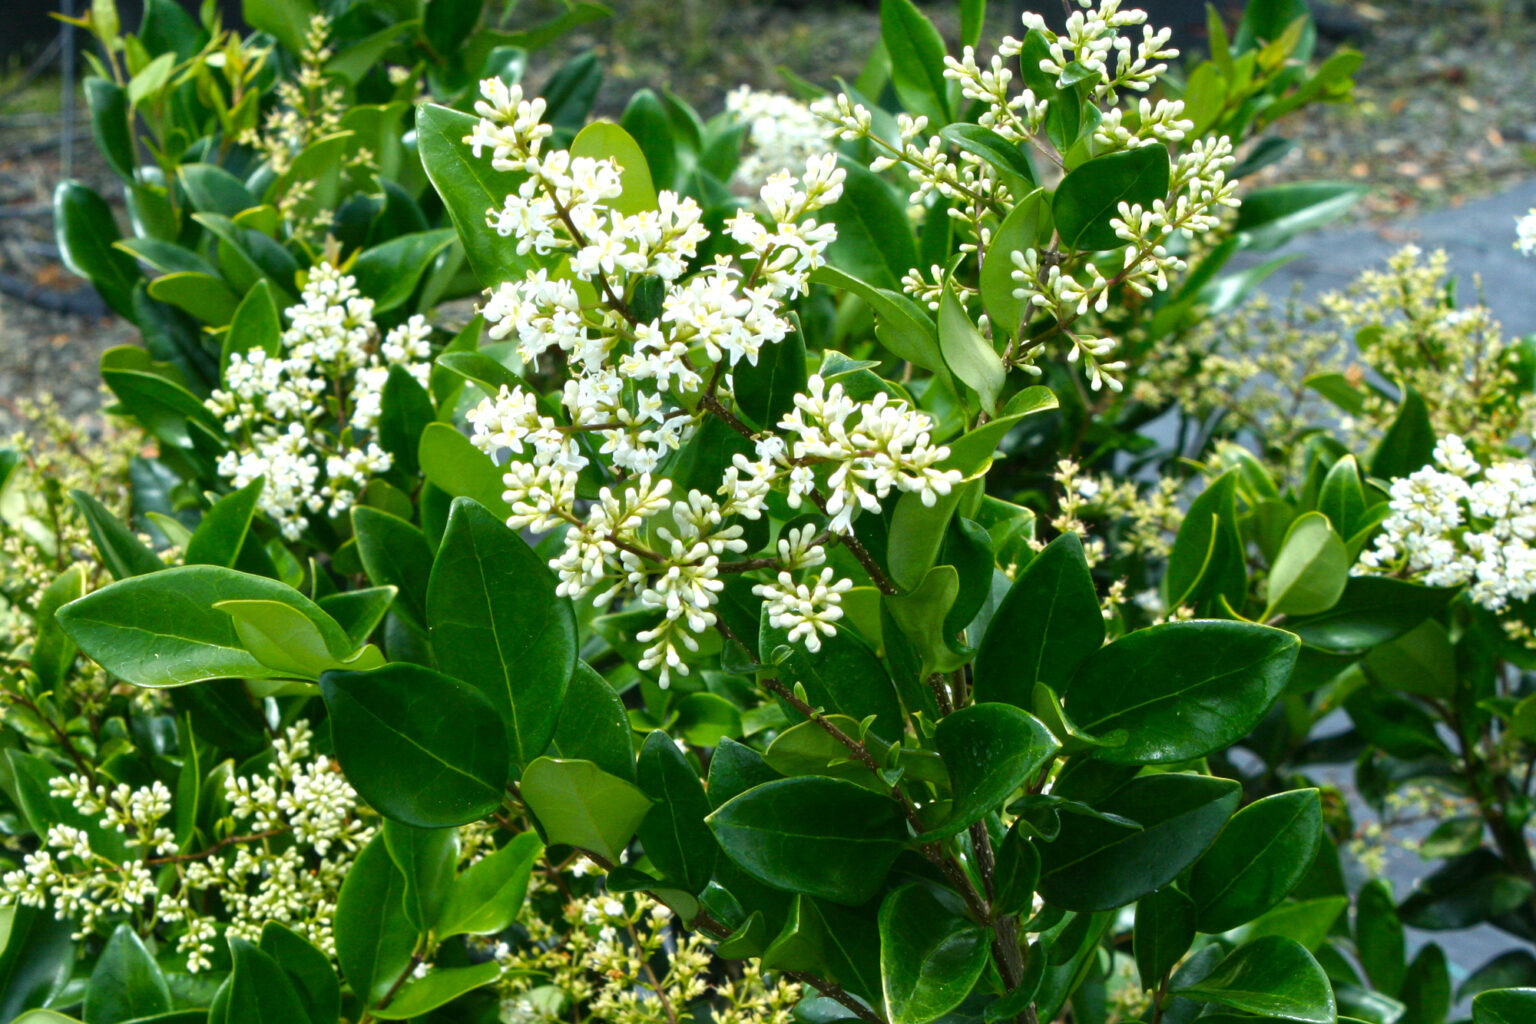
420	747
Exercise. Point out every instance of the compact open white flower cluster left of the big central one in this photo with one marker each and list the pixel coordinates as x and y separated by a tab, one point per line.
302	418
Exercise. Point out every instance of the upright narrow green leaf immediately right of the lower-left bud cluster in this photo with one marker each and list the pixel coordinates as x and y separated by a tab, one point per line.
374	939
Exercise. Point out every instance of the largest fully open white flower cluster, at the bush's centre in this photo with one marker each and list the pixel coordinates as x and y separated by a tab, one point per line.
640	386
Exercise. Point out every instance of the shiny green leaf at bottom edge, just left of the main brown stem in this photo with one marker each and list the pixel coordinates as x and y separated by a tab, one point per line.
932	956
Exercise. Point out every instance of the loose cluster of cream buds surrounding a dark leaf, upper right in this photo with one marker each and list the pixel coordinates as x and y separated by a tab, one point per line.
1067	286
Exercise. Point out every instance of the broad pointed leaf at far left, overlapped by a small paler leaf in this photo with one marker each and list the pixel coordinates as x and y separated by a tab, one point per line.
164	629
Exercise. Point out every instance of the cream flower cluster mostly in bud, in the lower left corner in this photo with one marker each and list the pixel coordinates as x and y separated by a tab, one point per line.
291	839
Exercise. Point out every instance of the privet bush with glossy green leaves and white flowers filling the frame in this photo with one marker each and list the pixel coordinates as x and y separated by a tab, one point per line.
727	623
